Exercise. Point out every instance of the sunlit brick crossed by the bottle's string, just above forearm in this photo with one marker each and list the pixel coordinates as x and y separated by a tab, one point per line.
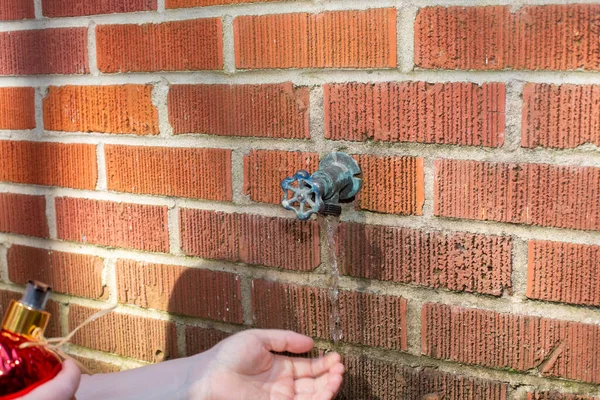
142	338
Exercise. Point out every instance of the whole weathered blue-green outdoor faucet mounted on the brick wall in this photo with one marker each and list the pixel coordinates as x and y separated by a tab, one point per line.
321	192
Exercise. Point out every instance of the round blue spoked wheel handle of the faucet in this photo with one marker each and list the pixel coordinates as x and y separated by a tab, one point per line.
301	189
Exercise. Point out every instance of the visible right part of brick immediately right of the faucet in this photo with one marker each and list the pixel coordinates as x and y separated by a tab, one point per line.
391	184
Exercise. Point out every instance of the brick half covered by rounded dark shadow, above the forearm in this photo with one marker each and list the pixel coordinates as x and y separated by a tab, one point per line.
190	291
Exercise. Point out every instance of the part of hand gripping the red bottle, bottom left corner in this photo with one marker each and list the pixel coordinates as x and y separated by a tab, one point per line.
62	387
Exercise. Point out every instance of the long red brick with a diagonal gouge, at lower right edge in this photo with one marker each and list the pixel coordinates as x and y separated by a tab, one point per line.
554	348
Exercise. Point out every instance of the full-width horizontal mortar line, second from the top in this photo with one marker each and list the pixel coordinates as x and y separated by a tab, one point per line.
307	77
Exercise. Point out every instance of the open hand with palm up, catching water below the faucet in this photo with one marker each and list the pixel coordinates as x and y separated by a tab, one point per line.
243	367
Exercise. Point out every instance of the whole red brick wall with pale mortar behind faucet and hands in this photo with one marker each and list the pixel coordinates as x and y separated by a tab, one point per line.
142	143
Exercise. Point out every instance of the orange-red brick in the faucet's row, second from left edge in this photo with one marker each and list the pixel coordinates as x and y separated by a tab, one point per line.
183	172
